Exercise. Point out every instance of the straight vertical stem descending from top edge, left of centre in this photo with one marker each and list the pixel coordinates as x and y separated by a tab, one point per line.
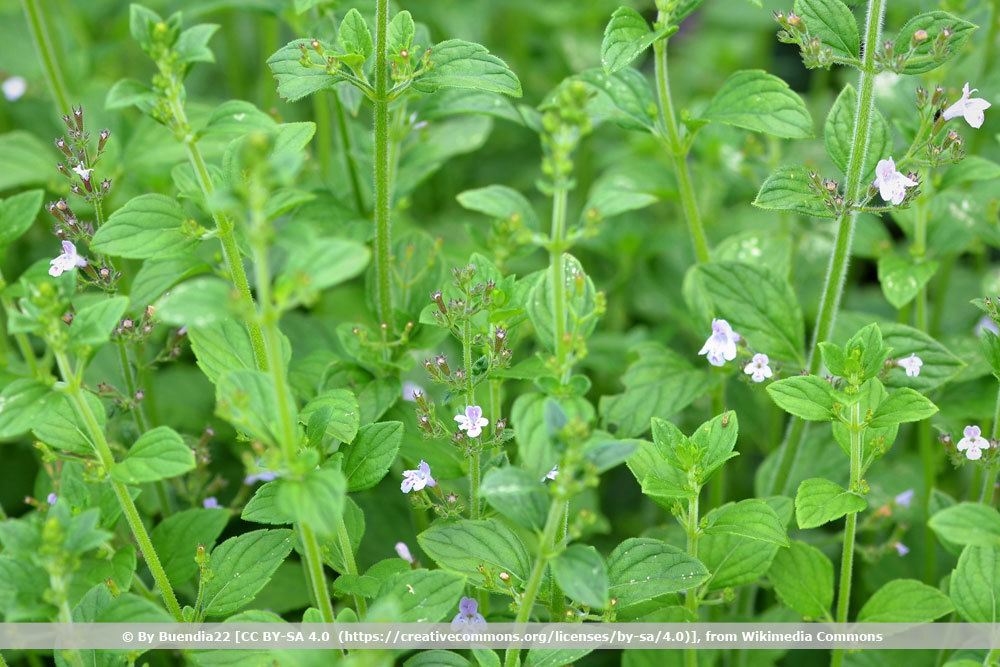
383	191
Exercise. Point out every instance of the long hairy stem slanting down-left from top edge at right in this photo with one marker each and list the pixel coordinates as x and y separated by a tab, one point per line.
833	286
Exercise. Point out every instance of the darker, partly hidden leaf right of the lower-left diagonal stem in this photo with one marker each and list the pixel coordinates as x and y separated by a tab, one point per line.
177	537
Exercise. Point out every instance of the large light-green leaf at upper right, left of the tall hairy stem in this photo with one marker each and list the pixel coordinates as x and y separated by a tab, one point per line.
761	102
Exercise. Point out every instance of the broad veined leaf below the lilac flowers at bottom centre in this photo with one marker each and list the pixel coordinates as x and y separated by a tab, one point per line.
480	550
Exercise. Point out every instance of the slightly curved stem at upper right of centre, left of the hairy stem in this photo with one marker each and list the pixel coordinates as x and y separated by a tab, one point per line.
678	152
